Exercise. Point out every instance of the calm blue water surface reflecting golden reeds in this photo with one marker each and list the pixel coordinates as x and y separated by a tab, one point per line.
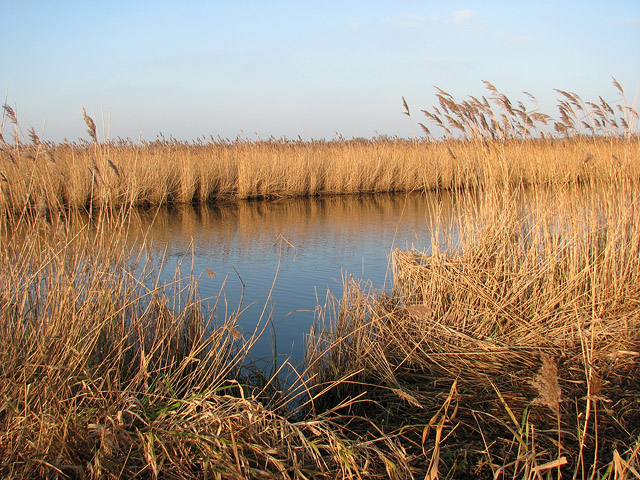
300	246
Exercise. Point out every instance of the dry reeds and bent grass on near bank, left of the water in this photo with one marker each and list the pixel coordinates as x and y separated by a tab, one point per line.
106	373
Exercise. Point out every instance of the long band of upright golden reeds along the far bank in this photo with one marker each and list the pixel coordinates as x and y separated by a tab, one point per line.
487	141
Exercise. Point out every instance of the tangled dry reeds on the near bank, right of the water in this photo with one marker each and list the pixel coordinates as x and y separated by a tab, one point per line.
510	351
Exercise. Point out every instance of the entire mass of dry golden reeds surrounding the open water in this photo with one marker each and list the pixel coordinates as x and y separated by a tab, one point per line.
509	350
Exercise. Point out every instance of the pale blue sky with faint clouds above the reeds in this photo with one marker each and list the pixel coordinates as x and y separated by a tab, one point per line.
256	69
